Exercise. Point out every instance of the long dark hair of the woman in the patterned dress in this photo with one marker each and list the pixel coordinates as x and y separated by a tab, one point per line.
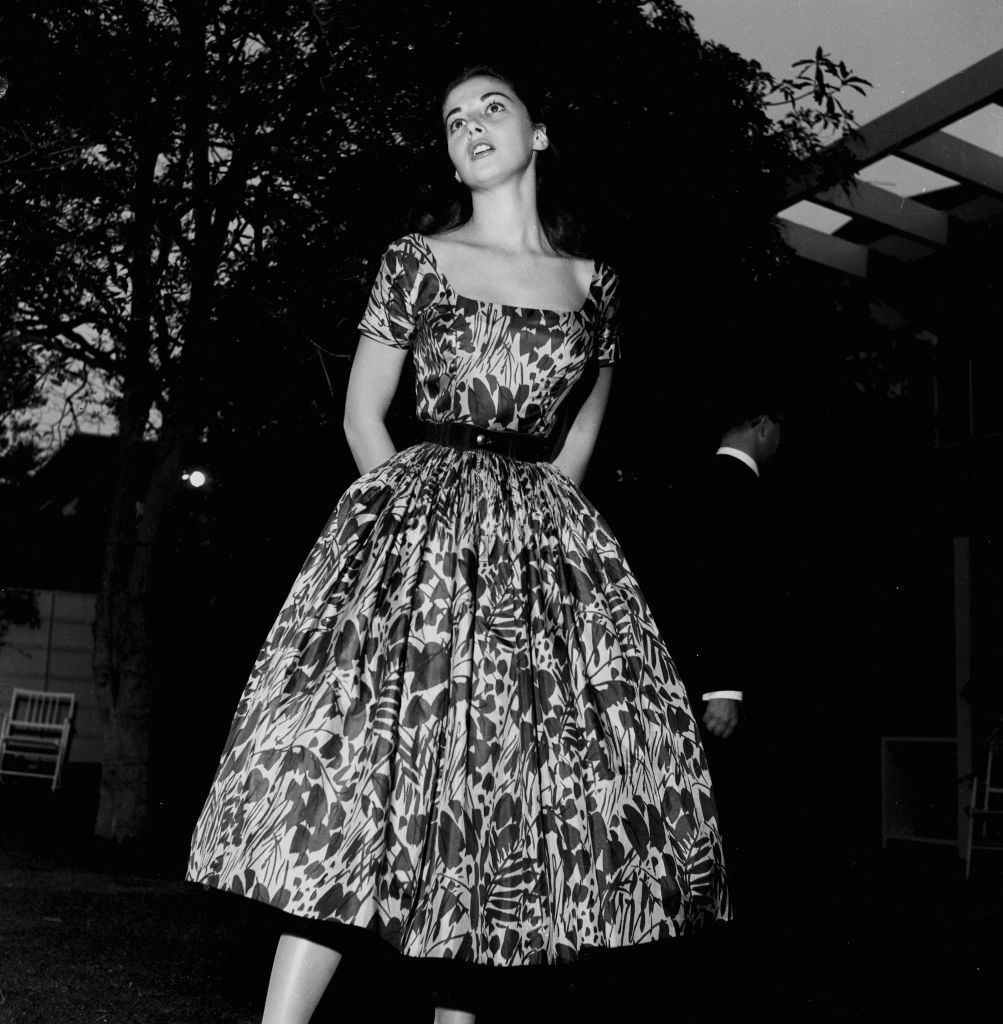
447	205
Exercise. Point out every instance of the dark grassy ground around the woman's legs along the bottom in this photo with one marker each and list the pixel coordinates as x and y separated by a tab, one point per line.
94	935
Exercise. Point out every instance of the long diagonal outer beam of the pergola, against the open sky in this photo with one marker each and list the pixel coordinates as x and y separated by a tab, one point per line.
969	91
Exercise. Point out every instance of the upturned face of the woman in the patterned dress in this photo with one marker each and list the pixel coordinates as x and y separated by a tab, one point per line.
489	133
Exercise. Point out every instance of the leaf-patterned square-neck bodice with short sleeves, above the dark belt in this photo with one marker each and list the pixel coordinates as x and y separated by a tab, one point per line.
490	365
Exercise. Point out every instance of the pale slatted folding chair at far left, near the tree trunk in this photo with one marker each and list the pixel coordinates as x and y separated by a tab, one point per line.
35	735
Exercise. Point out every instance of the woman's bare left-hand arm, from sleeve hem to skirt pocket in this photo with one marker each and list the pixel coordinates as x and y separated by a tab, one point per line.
375	374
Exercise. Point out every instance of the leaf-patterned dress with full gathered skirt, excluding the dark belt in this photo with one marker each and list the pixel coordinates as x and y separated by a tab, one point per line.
464	732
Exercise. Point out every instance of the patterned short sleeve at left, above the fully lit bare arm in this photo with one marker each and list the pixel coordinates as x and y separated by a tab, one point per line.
403	286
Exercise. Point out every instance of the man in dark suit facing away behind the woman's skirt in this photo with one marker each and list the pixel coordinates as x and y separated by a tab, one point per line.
727	613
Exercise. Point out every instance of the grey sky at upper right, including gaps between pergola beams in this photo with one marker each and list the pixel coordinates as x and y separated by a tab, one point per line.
904	48
